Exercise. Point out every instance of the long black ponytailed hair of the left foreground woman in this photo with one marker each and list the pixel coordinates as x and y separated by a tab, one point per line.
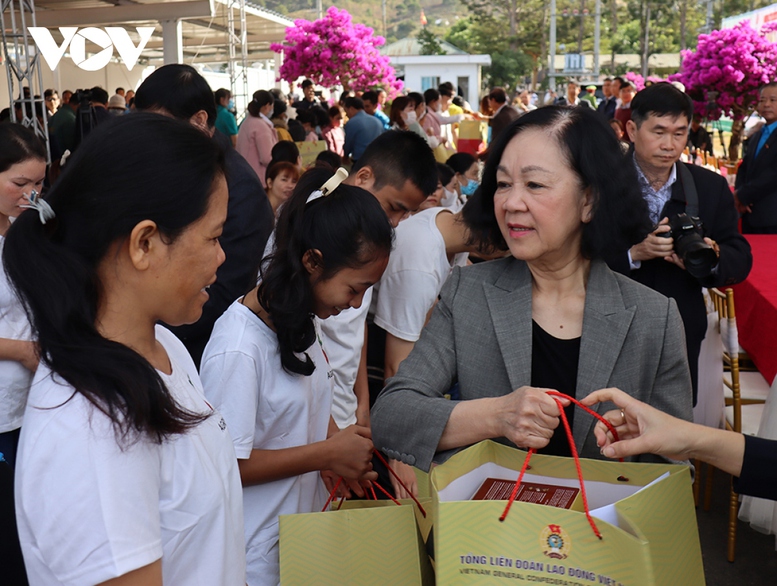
134	168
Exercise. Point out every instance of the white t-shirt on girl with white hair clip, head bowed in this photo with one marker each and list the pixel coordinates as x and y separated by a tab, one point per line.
266	408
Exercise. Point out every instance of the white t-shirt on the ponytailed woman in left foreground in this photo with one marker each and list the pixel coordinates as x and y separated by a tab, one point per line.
89	510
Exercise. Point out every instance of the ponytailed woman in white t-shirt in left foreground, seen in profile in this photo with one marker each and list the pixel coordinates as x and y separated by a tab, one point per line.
125	474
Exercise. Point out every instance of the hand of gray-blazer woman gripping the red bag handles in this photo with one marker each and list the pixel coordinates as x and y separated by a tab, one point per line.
528	417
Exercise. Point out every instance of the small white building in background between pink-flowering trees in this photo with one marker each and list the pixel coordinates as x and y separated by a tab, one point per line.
422	72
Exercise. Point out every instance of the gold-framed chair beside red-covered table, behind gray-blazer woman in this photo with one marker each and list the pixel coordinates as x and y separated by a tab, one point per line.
745	396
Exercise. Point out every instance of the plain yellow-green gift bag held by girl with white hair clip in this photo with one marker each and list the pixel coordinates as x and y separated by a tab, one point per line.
365	542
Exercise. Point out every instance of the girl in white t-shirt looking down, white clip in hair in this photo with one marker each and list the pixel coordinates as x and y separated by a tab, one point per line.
266	370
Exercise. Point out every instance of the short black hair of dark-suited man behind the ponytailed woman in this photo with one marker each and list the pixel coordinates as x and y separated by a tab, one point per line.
179	90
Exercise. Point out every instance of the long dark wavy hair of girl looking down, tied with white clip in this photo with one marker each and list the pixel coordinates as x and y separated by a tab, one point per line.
348	227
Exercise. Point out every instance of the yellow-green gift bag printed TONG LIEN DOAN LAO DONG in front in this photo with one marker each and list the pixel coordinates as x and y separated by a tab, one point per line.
644	513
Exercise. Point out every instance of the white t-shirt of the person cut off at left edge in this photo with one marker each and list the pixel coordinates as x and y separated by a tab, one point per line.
15	379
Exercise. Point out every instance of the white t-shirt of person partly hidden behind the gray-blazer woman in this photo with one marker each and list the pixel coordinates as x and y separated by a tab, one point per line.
417	269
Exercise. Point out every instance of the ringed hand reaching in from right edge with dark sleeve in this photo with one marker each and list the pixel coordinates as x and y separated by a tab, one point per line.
641	428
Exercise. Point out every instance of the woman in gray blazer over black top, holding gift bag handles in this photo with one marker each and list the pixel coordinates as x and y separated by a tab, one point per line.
559	195
